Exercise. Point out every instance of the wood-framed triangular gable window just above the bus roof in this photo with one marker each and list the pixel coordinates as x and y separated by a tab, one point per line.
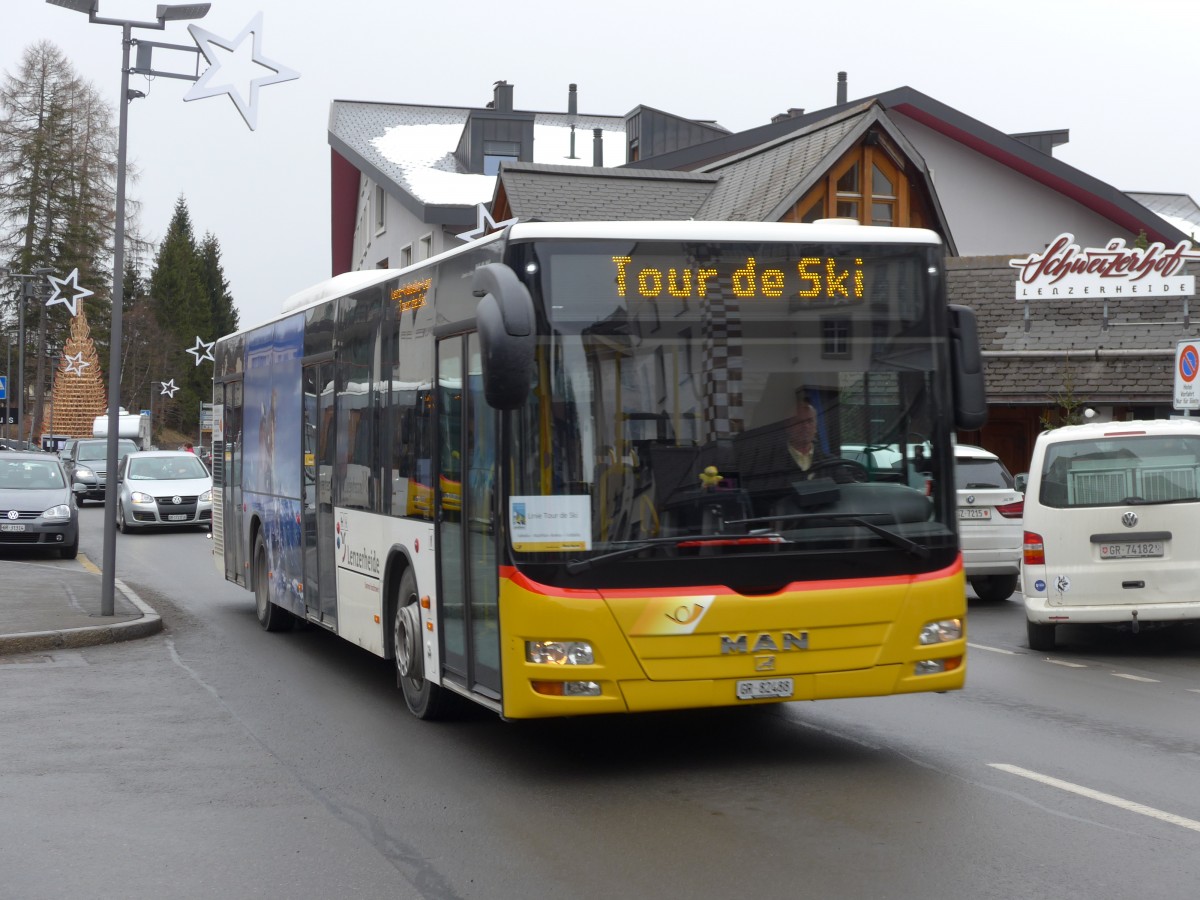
867	185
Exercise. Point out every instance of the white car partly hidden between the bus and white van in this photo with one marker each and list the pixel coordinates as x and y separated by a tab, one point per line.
991	523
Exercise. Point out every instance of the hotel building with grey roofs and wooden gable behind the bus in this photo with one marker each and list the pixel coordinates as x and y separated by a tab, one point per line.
895	159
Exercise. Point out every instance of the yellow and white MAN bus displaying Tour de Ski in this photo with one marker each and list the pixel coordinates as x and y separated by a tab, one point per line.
542	471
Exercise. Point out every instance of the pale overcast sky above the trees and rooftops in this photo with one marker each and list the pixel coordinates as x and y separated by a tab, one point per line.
1120	76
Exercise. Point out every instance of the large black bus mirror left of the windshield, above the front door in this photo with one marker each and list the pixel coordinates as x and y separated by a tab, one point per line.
507	335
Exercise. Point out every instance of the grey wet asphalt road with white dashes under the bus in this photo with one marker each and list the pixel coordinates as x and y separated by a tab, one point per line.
217	759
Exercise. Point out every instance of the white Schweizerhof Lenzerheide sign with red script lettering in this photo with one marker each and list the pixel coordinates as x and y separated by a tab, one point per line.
1065	271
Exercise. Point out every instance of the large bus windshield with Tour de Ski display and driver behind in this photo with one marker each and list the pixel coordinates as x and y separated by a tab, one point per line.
749	397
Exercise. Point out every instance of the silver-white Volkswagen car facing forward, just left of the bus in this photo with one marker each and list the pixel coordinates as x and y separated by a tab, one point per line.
164	488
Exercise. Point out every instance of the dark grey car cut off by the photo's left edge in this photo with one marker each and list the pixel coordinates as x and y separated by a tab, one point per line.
37	506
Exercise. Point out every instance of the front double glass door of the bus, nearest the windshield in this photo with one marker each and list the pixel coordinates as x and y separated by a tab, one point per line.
466	523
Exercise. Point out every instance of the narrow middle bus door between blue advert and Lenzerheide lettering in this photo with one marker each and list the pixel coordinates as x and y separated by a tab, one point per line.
316	482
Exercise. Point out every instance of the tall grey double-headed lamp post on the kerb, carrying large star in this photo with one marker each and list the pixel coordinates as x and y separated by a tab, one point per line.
164	14
